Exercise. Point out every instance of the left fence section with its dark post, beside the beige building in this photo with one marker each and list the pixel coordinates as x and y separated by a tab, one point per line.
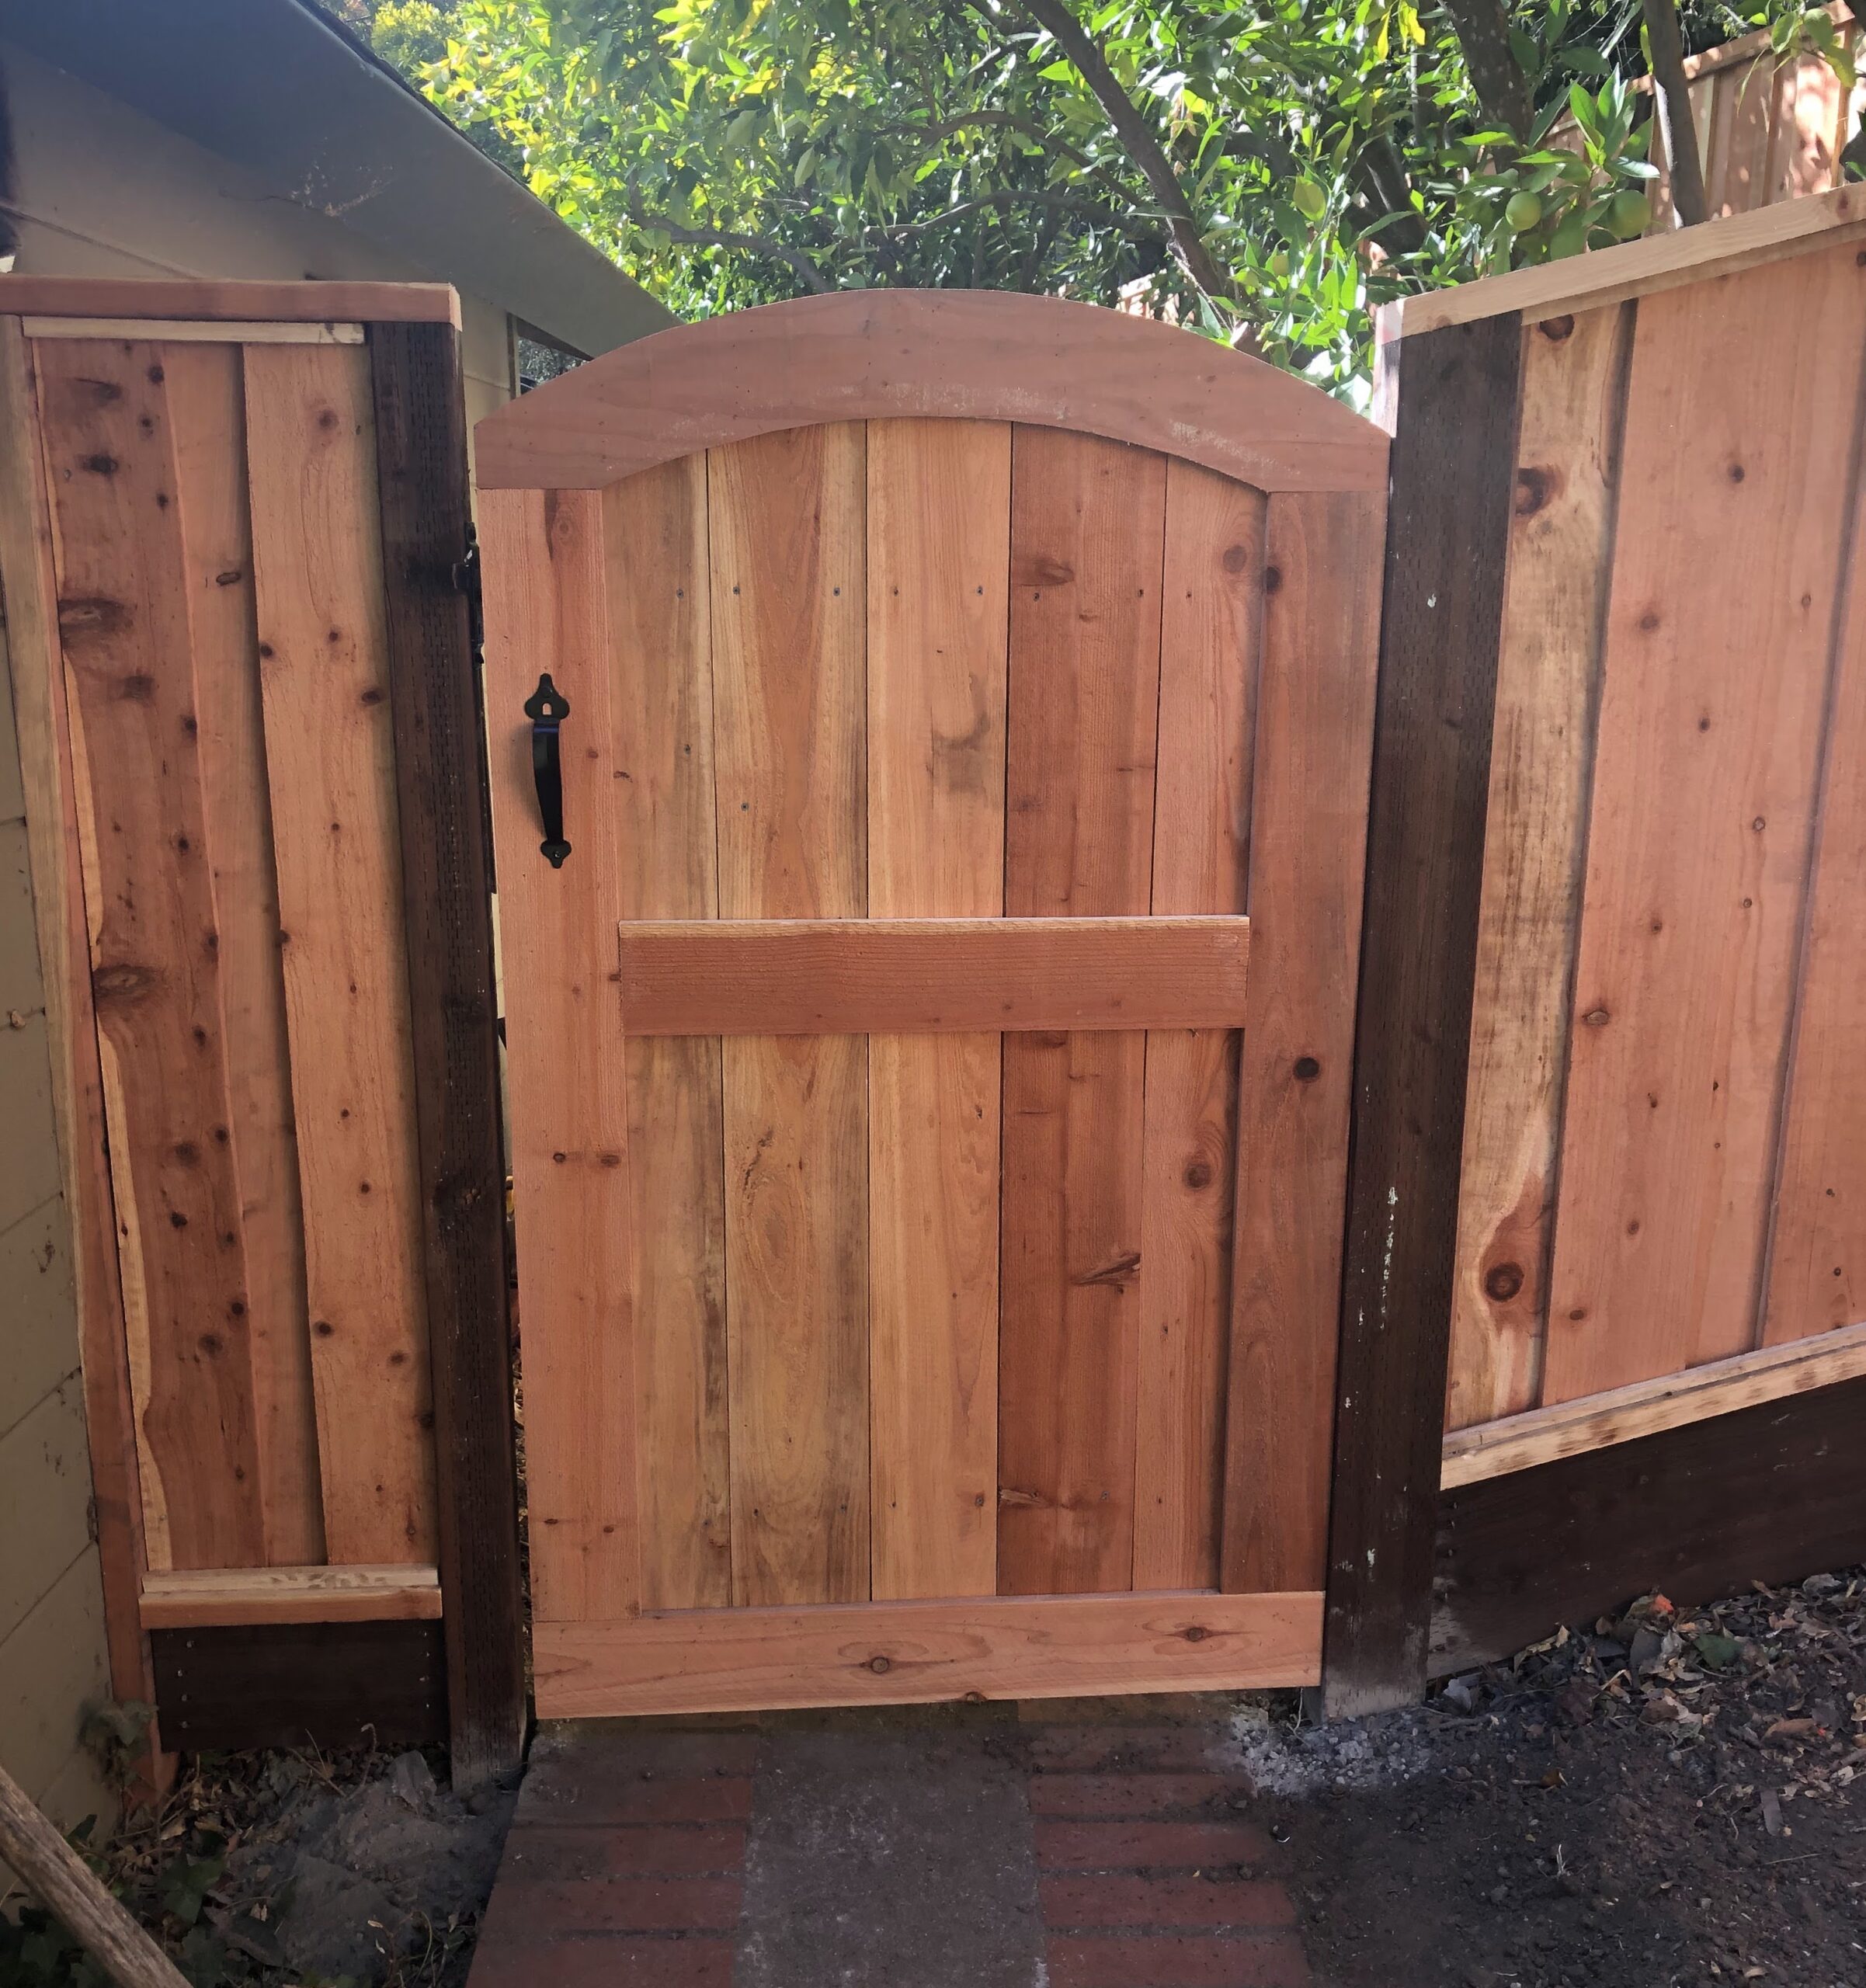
230	528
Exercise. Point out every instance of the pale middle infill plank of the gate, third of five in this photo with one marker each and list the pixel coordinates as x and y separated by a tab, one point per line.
939	572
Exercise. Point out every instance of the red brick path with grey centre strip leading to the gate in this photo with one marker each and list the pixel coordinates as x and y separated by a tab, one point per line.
889	1856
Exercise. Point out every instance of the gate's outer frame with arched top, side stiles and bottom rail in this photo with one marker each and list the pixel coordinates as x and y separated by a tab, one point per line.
855	357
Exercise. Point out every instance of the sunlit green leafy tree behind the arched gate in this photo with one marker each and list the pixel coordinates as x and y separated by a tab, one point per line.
1267	174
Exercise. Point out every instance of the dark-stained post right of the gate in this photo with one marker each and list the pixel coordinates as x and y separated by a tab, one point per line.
1448	534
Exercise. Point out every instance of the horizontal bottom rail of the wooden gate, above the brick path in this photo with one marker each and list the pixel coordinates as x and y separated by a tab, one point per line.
929	1651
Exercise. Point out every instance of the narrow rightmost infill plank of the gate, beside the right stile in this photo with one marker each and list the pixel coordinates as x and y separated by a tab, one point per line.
1201	864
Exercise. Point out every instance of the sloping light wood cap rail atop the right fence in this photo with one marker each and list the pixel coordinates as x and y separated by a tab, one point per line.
1646	267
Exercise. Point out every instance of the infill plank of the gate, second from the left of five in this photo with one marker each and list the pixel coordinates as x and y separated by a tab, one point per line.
790	709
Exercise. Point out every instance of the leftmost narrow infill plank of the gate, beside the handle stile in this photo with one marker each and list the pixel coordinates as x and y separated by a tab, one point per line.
667	868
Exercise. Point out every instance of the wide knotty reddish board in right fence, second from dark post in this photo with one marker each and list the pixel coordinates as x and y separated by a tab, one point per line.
1698	852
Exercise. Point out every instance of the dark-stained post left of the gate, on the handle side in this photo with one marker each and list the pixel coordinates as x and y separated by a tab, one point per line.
440	774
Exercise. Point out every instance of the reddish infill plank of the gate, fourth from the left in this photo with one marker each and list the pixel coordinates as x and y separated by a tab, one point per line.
1088	554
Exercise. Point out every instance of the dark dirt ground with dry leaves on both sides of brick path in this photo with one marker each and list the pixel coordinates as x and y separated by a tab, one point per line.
1652	1800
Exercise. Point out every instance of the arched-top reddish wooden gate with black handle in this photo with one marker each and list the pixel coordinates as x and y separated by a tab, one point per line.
931	1065
